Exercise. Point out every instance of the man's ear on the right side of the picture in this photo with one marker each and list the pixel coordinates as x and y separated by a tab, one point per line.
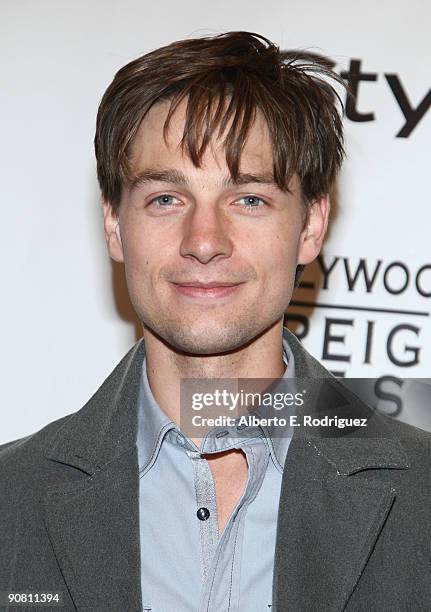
313	233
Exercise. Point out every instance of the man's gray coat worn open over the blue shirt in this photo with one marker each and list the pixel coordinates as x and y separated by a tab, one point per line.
353	526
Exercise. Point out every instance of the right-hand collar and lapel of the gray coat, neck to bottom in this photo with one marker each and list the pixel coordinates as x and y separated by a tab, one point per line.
334	500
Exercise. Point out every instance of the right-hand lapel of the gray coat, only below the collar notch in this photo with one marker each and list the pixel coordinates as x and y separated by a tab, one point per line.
328	525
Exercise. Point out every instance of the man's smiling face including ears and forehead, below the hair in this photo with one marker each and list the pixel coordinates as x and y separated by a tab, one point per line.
182	224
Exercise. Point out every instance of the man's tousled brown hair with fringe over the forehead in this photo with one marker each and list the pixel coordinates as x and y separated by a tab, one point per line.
227	78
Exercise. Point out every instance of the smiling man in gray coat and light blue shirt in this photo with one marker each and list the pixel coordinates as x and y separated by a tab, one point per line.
215	159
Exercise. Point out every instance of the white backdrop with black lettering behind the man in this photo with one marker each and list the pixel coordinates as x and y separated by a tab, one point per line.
62	328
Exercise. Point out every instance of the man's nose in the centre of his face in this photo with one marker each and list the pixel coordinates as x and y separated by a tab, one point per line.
206	234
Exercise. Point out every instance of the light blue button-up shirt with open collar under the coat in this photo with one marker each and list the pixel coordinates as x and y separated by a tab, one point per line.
186	566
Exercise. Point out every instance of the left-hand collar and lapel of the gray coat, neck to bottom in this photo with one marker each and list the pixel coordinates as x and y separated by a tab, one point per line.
93	522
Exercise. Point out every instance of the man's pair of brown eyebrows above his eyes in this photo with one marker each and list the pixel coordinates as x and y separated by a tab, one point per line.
176	177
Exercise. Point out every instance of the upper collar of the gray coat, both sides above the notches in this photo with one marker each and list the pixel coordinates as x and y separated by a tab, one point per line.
106	426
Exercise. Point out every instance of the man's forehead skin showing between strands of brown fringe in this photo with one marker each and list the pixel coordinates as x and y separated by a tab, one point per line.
151	148
